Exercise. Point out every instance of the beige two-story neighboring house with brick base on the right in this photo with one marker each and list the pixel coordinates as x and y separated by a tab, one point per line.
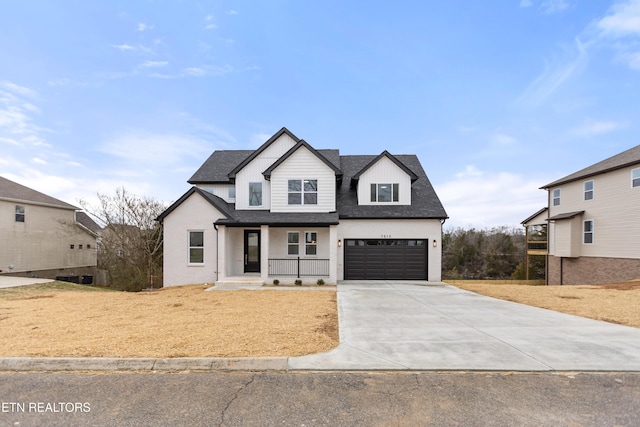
594	223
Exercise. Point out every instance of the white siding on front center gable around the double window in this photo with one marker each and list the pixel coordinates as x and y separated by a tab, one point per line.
303	165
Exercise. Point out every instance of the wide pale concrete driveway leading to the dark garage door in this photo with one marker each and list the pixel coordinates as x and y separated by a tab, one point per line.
435	326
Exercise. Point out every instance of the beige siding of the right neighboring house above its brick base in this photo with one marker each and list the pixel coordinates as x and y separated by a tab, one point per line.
614	209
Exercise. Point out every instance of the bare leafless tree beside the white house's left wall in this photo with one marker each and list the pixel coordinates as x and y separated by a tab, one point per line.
130	248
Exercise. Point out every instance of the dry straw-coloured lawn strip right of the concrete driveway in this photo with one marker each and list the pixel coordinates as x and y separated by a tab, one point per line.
615	302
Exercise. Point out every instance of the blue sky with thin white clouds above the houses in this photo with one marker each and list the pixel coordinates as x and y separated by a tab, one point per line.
497	98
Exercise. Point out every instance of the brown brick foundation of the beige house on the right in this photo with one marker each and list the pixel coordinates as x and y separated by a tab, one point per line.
592	271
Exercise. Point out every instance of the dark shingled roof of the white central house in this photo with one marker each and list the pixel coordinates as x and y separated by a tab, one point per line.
222	166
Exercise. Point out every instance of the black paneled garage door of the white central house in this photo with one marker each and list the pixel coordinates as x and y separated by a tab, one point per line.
388	259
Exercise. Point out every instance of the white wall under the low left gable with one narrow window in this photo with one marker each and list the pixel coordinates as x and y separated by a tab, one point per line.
194	214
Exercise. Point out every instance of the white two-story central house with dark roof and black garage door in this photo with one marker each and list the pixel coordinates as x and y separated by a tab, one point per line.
287	211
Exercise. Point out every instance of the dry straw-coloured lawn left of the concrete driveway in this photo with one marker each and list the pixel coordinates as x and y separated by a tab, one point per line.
66	320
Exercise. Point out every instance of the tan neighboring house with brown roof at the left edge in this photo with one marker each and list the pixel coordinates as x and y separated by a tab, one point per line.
43	236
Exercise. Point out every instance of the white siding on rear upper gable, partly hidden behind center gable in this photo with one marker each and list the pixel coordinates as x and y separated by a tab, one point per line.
253	173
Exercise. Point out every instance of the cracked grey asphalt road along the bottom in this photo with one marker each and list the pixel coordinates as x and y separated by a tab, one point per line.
319	399
